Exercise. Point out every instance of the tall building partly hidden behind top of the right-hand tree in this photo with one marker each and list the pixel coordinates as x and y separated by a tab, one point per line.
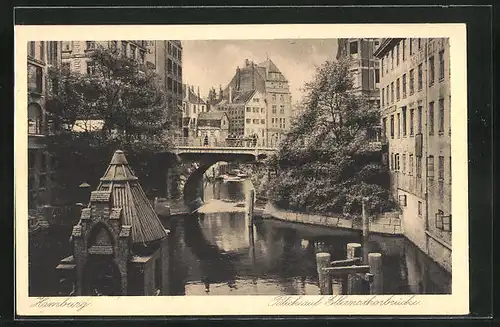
365	66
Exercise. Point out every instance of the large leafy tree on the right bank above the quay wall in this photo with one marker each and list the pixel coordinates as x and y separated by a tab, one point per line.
327	162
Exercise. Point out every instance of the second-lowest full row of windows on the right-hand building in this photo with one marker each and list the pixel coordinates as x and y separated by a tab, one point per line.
401	121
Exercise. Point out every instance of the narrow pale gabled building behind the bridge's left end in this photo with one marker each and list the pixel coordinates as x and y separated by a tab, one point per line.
192	106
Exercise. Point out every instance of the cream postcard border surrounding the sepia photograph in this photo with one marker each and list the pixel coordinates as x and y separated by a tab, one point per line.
456	303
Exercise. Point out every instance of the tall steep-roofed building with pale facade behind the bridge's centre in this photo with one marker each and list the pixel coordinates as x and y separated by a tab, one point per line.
261	87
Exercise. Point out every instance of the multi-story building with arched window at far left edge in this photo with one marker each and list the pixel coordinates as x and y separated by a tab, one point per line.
41	56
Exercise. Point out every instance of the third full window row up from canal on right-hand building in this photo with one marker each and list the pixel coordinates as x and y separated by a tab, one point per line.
401	82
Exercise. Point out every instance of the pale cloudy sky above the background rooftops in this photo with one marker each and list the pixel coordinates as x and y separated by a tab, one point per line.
210	63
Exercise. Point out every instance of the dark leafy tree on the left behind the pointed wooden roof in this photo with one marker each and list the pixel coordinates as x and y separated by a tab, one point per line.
126	98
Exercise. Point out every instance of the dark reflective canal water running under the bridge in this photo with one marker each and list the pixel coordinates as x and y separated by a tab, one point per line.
218	254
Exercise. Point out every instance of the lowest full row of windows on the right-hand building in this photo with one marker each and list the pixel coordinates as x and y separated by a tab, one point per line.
395	165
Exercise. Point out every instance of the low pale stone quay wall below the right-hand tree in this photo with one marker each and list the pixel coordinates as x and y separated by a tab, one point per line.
387	223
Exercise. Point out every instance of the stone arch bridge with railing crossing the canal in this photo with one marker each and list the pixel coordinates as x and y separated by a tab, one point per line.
184	180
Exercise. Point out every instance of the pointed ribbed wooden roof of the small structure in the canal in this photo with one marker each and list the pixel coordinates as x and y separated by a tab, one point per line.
127	194
